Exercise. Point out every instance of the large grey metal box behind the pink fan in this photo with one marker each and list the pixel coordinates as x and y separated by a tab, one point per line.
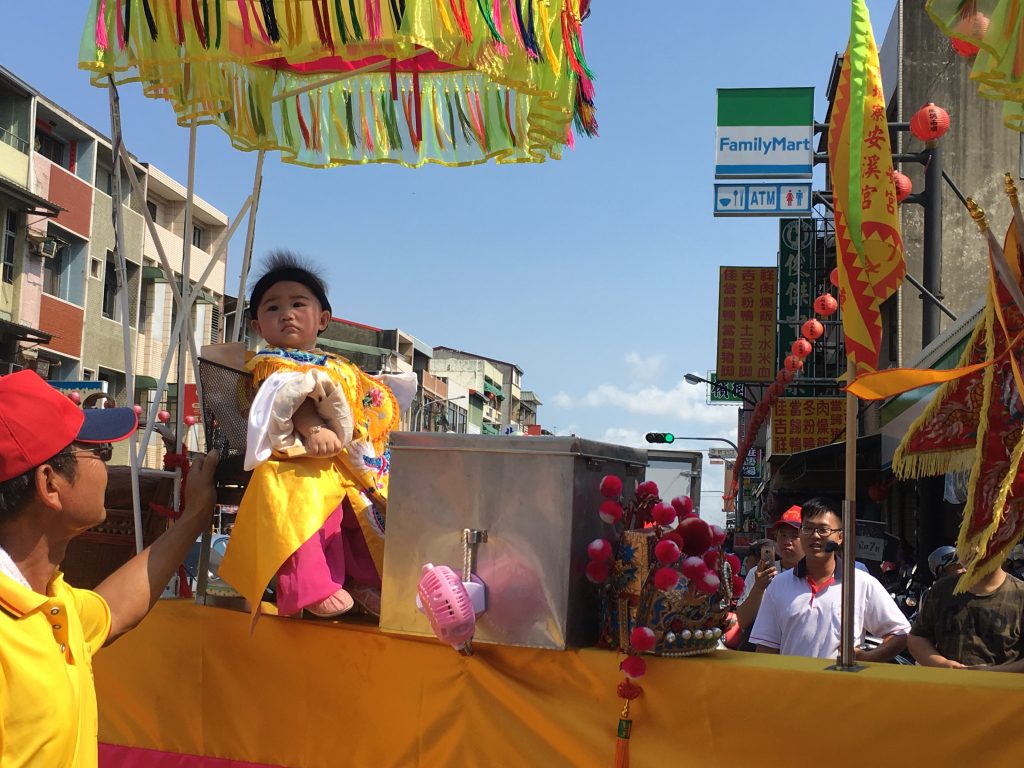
536	497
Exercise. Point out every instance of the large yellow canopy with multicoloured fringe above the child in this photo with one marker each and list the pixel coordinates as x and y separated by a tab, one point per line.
338	82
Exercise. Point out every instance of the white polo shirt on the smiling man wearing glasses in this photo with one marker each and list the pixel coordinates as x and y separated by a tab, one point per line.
801	625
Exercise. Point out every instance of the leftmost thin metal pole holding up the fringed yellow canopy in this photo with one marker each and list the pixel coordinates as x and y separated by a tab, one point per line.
121	269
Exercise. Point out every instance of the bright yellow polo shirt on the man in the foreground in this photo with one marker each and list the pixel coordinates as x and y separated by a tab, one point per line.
48	695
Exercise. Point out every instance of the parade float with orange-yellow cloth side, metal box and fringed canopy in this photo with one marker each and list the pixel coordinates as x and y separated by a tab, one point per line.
601	602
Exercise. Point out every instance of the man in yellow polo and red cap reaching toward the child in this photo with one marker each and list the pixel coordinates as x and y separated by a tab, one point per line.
53	483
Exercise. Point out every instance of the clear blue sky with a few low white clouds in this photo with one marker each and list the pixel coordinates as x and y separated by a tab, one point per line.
598	275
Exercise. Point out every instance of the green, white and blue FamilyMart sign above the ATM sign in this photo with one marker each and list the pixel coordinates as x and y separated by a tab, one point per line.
764	134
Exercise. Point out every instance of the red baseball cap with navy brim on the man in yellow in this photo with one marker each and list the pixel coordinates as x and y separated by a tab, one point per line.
37	423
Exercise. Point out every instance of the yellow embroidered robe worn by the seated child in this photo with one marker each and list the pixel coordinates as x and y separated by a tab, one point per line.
288	499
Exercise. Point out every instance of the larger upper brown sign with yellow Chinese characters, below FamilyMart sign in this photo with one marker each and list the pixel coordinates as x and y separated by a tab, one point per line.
747	324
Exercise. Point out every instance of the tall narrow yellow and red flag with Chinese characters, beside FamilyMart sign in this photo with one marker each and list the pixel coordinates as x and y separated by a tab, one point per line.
870	248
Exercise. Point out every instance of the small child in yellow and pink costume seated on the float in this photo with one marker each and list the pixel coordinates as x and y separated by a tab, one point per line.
313	511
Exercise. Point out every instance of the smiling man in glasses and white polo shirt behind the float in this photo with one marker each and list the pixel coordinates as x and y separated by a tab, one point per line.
801	611
